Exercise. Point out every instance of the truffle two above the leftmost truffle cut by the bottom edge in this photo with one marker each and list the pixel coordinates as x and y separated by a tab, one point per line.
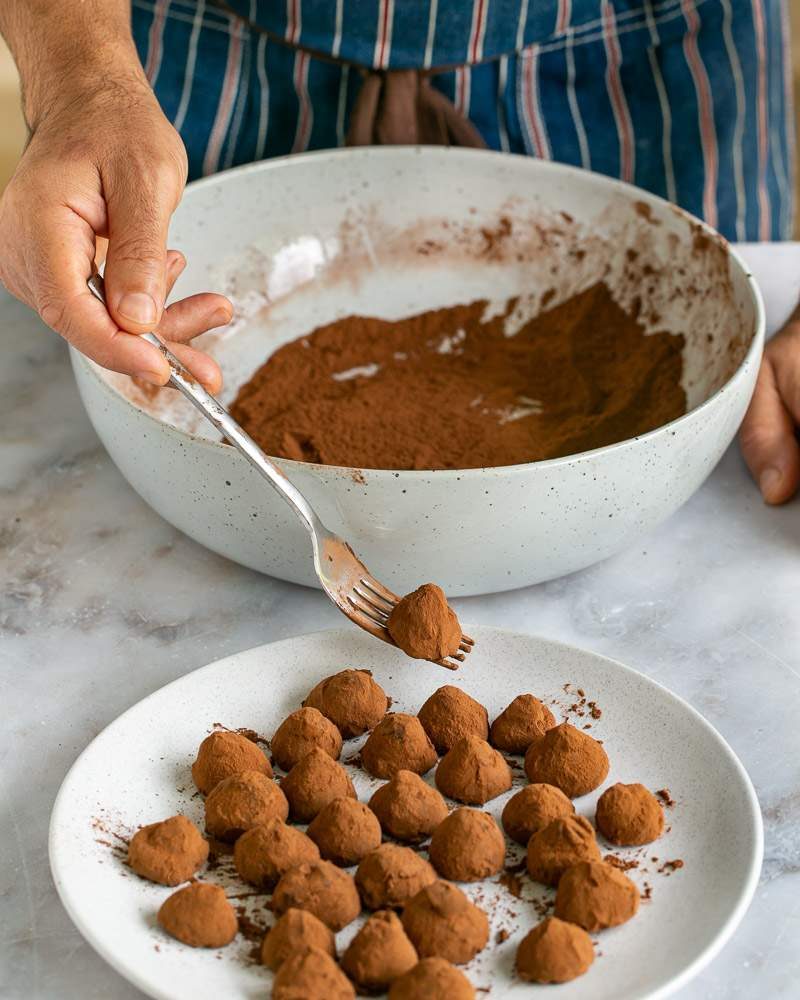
322	889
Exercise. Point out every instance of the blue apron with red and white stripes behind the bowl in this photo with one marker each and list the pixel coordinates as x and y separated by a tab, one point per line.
690	99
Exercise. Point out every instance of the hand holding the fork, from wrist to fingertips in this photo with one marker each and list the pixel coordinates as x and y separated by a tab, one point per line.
106	164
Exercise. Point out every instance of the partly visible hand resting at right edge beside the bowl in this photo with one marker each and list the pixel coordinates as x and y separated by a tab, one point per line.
769	432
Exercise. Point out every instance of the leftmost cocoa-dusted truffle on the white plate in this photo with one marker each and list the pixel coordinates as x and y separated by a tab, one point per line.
169	852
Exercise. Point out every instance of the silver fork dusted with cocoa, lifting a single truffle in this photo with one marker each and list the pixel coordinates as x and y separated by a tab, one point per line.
344	578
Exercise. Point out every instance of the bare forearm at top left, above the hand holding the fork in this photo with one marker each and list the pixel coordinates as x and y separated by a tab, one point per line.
63	47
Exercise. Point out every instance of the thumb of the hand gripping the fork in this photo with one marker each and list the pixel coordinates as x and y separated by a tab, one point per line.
135	274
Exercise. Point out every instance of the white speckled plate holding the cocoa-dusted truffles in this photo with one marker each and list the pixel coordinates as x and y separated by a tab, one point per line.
137	771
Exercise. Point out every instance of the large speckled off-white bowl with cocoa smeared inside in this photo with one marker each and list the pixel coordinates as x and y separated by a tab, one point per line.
392	231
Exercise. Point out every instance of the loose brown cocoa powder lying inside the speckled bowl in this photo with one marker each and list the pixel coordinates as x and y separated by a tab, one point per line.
450	389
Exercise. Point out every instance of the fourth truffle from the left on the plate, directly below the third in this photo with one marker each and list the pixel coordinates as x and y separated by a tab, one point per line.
241	802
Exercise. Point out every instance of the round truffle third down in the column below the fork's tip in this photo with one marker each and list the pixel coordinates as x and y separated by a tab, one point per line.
467	846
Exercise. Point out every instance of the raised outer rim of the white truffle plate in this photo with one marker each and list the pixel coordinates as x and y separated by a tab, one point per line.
693	969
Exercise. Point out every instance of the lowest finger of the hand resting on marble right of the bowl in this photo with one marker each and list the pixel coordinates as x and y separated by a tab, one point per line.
768	440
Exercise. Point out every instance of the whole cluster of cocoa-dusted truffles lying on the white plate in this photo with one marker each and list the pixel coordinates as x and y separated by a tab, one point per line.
438	927
